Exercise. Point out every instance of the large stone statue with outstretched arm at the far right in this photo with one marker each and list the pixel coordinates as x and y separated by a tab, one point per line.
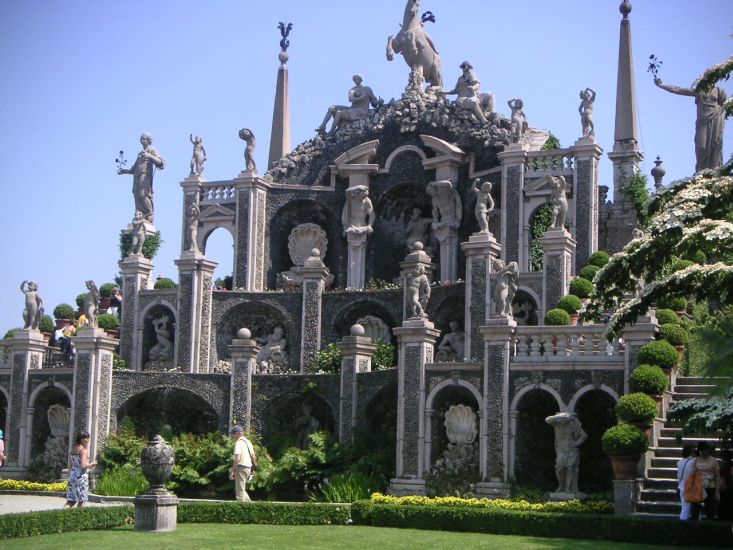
708	126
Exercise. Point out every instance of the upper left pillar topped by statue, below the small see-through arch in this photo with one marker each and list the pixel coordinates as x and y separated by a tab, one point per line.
193	331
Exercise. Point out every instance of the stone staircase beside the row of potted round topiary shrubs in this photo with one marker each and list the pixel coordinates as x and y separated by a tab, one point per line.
658	492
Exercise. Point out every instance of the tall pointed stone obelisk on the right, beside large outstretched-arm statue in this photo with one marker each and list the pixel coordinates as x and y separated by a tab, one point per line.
626	155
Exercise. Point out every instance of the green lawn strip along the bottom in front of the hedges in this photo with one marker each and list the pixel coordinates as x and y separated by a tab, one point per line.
264	537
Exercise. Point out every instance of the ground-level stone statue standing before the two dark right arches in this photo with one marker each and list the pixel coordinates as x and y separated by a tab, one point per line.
569	435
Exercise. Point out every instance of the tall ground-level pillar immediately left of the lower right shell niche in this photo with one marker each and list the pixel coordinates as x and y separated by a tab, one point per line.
416	346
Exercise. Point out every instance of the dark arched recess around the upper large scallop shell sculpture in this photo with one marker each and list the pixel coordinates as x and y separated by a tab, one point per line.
290	216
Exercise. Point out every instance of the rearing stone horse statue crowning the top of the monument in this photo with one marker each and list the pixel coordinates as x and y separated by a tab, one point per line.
416	47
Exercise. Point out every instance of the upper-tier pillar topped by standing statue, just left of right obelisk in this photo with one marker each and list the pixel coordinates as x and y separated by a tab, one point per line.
585	188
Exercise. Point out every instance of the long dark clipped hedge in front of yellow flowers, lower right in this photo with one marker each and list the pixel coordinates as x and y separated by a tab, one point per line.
574	526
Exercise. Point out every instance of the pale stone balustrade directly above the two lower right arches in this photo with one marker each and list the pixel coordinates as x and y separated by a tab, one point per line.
565	343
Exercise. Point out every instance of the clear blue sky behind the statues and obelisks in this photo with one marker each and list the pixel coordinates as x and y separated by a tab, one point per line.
82	79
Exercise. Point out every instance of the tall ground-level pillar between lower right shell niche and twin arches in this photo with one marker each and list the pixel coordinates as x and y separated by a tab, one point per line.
498	334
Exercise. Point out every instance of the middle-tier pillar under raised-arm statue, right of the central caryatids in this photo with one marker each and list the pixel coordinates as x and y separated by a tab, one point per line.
480	250
